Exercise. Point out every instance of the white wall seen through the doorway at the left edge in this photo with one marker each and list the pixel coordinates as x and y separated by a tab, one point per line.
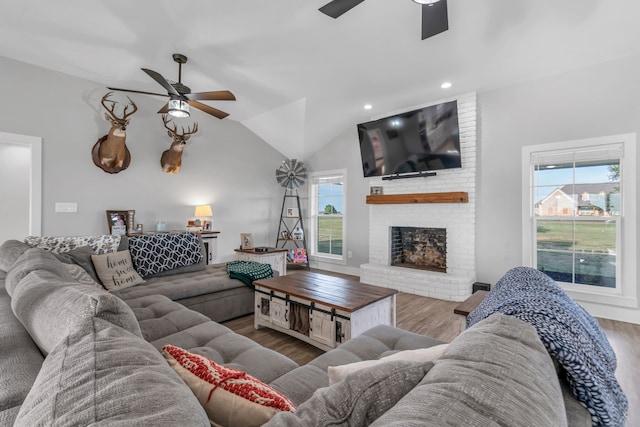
15	172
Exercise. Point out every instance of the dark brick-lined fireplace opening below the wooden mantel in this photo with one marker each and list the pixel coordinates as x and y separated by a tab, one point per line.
421	248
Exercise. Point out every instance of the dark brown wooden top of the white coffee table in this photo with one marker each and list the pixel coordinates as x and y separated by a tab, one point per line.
336	292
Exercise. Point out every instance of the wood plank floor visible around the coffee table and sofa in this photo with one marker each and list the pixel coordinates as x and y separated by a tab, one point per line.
435	318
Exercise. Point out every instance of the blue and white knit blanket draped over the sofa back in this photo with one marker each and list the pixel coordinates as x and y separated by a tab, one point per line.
570	334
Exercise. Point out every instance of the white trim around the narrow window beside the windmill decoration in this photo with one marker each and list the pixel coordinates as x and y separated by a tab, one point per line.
313	255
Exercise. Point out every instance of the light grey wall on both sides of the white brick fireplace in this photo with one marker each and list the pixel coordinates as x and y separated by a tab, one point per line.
596	101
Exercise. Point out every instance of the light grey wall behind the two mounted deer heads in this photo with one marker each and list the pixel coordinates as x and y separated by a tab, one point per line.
224	164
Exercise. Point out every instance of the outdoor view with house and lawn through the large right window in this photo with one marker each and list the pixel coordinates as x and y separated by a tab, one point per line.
577	211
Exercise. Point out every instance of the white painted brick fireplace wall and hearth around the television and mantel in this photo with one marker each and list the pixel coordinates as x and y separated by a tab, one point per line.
458	218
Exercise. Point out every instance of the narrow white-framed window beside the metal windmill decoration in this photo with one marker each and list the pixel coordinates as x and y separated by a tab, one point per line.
328	201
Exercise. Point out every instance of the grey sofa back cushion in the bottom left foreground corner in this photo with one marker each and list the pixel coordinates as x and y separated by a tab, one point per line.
101	374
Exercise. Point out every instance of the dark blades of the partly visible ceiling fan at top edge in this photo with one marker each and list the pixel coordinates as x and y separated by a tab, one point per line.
435	18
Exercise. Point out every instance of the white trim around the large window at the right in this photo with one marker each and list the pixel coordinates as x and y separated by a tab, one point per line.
627	295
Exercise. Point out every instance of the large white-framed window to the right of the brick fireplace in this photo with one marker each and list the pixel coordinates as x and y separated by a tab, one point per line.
580	213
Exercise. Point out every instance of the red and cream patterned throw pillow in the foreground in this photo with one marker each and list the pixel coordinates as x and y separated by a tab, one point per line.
229	397
